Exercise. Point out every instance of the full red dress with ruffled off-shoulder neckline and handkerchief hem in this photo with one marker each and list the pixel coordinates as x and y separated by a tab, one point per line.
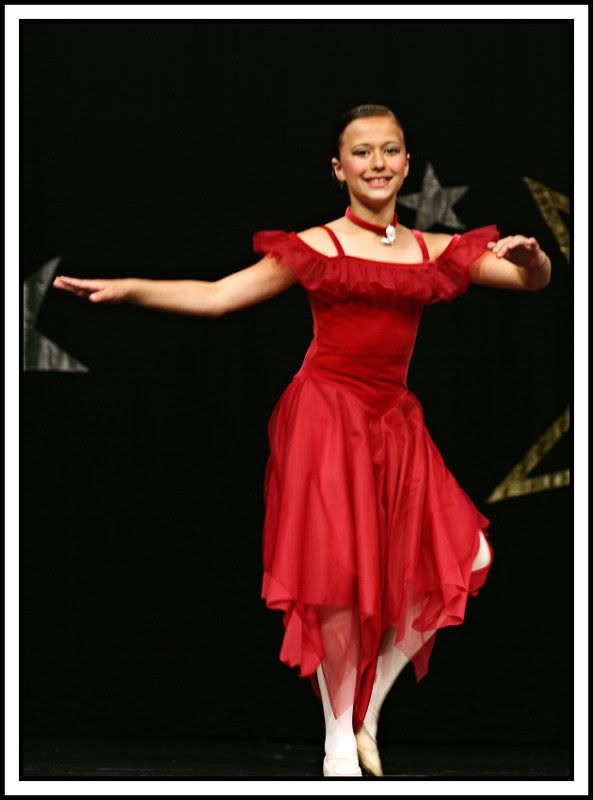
365	527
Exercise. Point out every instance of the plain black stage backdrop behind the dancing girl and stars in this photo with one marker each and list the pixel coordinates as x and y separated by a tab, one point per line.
156	149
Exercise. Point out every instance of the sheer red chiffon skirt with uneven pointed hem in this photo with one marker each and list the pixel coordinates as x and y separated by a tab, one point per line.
365	530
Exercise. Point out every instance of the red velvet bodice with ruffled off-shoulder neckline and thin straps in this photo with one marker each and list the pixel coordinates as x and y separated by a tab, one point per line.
366	313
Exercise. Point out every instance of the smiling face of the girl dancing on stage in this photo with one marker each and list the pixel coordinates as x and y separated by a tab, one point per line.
372	147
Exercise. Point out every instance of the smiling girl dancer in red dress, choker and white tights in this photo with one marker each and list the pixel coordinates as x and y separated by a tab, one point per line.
370	544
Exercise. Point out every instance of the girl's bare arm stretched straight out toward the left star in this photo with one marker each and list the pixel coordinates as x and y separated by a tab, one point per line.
244	288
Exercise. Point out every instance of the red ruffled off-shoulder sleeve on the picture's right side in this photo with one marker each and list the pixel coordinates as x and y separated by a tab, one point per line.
455	262
